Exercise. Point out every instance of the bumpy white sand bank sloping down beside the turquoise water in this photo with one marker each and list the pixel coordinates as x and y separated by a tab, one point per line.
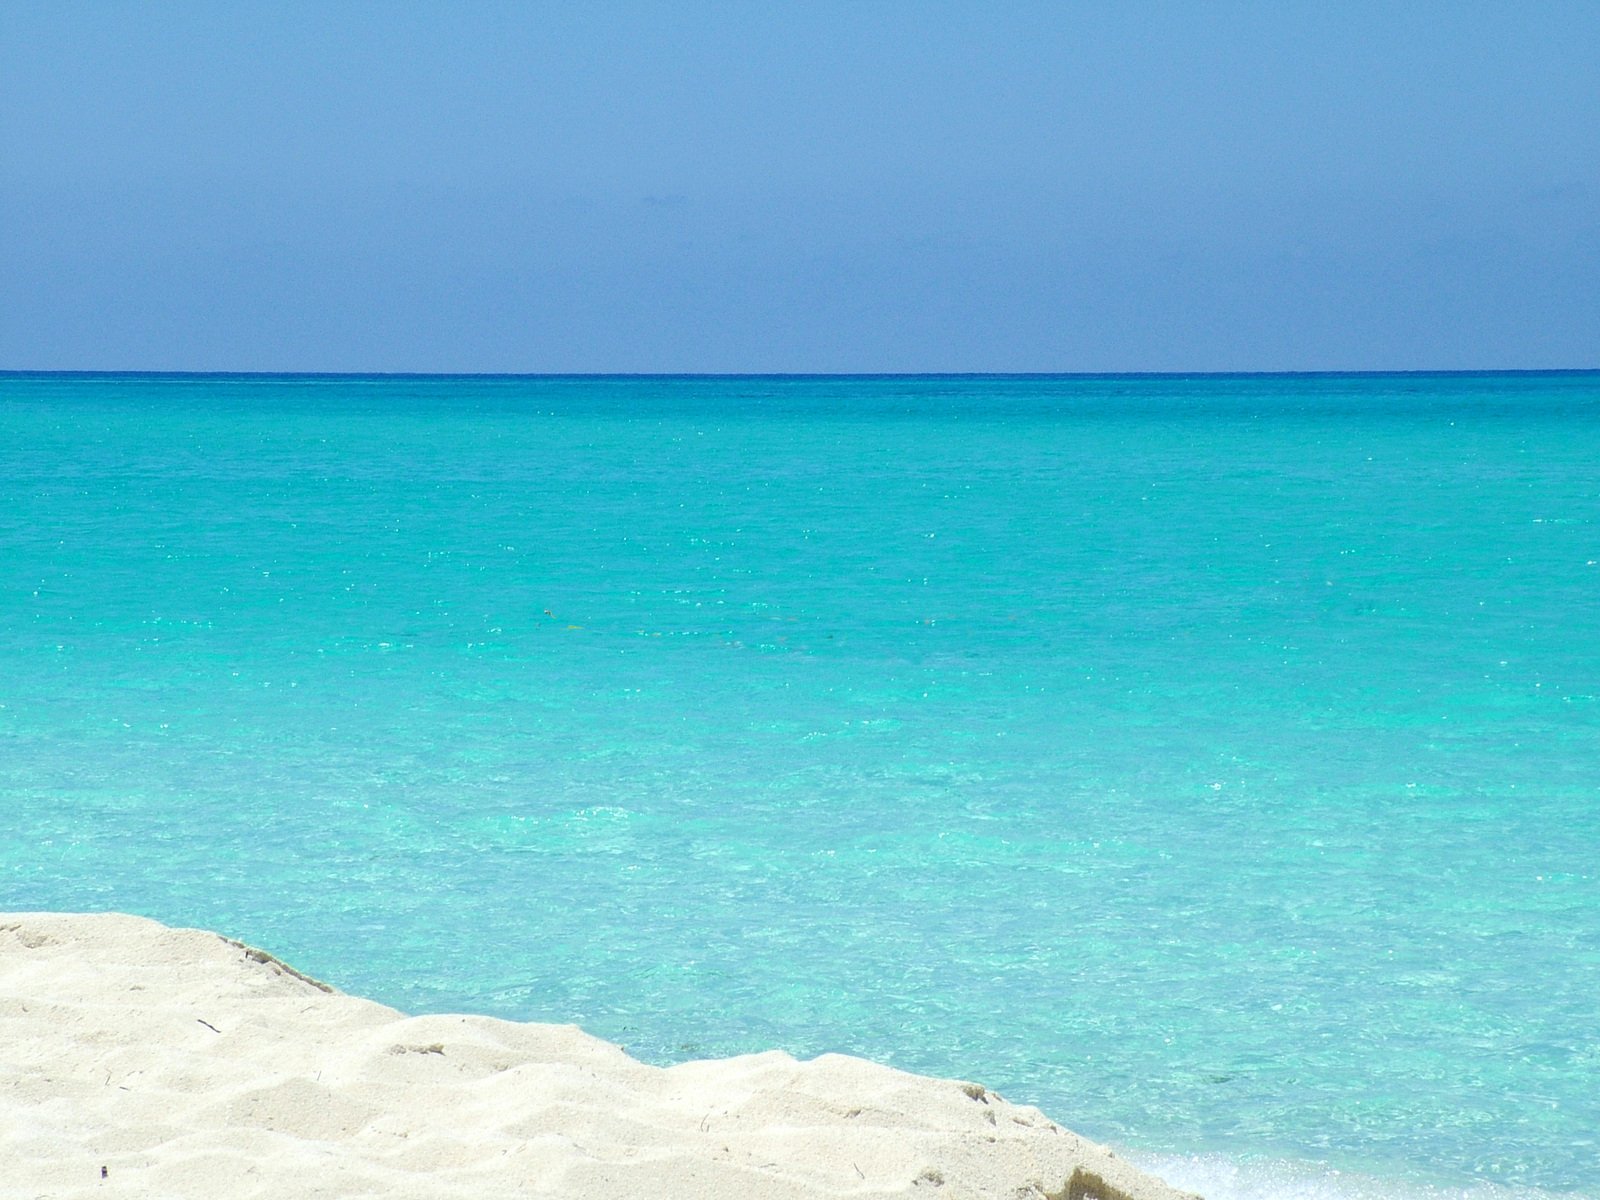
145	1062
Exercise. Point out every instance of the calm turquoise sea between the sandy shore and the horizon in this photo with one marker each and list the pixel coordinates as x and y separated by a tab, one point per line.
1212	762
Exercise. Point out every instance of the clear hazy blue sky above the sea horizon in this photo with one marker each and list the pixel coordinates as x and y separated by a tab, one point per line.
868	186
